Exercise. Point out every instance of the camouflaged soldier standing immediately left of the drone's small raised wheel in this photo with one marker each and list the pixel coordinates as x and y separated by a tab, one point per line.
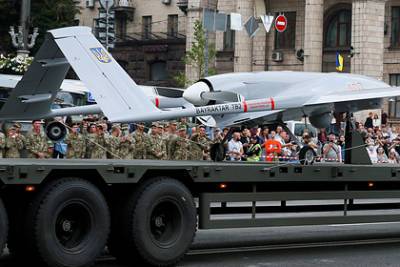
36	142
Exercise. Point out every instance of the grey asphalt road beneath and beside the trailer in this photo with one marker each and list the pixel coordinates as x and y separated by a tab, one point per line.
283	246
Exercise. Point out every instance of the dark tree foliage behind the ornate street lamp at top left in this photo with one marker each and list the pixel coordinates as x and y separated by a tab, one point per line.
45	14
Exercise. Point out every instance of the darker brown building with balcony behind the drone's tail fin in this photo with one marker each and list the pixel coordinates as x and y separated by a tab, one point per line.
150	38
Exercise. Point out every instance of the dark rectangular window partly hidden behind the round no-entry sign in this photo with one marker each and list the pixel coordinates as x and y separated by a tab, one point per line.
287	39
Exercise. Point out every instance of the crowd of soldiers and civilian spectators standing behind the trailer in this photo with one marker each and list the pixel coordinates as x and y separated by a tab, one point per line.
180	140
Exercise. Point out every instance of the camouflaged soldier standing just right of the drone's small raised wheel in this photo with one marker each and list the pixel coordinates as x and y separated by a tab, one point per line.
76	143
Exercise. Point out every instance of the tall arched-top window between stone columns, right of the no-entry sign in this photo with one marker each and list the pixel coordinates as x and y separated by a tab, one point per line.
338	30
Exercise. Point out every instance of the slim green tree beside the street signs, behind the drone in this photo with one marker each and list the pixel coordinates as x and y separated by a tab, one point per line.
196	56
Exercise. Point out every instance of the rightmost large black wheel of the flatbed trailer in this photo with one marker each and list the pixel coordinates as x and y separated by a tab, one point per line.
162	222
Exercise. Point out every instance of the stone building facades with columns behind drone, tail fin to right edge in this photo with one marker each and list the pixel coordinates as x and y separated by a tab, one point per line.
365	32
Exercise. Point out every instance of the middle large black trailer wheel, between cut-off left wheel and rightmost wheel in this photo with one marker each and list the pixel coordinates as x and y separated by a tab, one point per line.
70	223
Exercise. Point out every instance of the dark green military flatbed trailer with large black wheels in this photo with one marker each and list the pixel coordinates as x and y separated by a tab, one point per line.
65	212
